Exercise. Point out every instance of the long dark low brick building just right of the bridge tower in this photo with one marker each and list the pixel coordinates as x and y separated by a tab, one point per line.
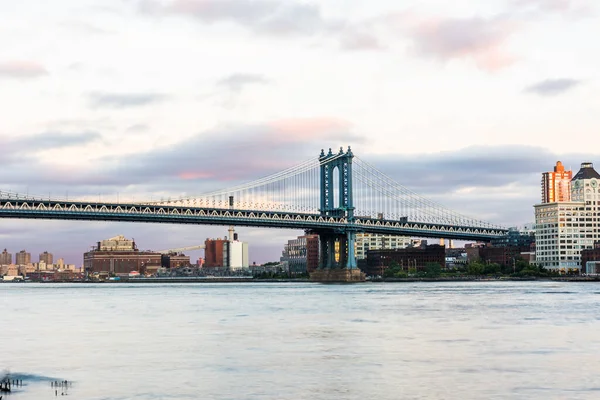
408	258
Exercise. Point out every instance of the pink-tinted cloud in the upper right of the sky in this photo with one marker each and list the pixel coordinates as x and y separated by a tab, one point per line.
482	40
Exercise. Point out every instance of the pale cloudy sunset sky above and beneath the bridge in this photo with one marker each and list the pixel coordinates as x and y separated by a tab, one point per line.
465	102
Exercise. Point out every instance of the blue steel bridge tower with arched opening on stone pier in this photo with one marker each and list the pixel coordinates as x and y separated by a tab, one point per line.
337	246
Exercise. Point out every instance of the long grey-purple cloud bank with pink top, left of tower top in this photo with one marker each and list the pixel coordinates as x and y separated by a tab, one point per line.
211	160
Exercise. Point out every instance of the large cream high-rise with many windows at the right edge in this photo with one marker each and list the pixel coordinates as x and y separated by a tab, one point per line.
564	229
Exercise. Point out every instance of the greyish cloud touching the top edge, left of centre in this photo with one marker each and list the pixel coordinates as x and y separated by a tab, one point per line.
261	16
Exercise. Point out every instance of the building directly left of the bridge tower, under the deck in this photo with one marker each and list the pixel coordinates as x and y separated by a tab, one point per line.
301	254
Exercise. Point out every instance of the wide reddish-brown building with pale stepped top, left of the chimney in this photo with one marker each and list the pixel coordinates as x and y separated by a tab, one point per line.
118	257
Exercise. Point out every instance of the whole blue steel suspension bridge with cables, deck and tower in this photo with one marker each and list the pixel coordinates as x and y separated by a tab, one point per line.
335	195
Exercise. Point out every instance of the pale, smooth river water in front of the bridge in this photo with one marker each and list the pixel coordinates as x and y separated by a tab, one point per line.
471	340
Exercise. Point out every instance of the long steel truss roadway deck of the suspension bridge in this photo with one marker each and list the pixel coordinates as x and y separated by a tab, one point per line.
174	214
